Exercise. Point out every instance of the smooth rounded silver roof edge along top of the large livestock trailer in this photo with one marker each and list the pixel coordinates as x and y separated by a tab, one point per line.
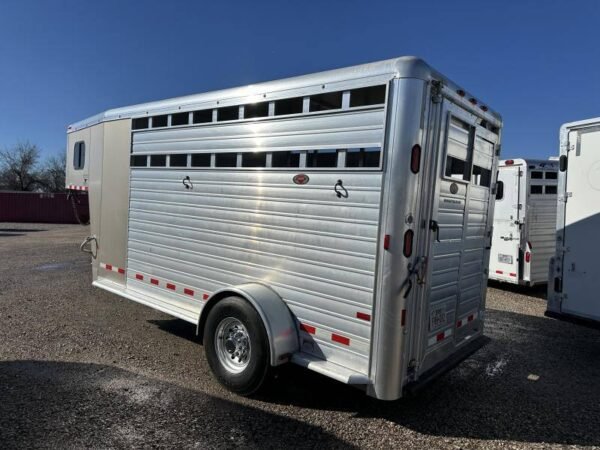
402	67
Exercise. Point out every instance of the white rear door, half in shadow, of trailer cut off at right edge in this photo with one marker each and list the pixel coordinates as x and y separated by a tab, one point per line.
581	271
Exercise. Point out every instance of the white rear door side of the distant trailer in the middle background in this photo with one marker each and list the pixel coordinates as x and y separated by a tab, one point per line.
504	259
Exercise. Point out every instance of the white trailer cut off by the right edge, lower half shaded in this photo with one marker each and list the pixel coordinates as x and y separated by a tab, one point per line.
574	270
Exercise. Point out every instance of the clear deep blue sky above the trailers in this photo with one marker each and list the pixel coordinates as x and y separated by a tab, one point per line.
536	62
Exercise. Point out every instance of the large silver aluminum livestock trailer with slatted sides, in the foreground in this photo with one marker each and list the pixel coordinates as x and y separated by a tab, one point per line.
338	220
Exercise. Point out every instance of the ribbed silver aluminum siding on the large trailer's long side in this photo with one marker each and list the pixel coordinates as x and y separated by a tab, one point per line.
316	250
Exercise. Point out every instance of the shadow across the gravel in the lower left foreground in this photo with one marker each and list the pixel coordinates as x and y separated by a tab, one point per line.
54	404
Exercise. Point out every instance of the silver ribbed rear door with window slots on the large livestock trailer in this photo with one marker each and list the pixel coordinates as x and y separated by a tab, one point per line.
459	241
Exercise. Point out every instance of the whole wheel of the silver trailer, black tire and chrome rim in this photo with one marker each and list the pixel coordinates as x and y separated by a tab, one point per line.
236	345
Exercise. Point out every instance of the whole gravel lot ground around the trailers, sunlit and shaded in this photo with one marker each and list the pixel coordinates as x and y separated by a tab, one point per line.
80	367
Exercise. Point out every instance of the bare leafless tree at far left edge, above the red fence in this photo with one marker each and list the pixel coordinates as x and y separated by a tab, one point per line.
19	169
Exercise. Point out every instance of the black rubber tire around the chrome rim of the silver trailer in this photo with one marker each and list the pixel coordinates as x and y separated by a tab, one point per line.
251	378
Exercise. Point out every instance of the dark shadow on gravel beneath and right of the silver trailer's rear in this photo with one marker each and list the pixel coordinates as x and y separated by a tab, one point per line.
491	395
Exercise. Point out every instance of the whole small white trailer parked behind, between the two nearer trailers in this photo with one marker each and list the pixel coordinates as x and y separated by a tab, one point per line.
524	221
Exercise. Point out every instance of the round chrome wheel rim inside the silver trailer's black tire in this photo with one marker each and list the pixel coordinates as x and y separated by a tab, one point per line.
232	345
